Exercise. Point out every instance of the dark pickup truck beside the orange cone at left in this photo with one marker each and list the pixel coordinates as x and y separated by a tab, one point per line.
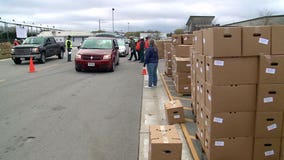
39	48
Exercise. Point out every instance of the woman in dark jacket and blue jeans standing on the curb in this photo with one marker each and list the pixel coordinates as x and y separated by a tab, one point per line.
151	60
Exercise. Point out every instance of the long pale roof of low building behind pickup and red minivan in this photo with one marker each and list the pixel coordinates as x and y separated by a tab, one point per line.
66	33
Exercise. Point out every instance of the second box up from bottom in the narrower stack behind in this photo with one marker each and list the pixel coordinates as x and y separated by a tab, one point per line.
182	64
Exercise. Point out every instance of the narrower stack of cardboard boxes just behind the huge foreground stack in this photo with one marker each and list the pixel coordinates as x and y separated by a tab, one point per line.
181	68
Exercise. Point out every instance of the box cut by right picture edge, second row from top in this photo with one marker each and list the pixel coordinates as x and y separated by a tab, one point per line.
271	69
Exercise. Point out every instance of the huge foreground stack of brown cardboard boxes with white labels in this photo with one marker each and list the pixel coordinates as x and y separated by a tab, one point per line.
229	92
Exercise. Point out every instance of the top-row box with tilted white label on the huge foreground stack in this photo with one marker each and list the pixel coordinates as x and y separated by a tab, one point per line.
256	40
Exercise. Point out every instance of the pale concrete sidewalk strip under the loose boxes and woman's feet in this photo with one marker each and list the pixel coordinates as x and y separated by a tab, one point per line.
153	113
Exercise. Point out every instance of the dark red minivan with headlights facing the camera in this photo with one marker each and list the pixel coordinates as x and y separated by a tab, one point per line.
97	53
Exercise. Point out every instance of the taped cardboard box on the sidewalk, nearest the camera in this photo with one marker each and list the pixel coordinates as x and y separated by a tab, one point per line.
165	143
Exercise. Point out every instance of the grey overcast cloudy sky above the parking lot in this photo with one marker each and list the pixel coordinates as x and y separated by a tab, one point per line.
161	15
